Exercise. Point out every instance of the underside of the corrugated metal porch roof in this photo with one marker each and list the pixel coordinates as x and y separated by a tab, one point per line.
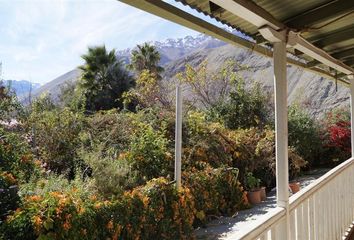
328	25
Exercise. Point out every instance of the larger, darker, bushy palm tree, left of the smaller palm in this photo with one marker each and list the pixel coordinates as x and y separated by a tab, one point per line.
104	79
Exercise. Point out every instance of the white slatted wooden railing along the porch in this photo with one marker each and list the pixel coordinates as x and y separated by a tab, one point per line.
322	210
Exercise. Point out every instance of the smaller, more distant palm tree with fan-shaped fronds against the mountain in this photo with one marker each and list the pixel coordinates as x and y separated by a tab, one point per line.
146	57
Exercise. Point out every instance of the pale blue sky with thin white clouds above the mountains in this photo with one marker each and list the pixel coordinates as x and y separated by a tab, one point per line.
42	39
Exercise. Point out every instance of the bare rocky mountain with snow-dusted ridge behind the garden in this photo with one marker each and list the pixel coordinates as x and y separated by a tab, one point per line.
318	94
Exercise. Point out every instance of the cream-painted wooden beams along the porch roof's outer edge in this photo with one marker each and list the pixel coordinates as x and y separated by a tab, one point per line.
303	52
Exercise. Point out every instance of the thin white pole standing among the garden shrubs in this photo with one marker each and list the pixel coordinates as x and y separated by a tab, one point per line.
178	137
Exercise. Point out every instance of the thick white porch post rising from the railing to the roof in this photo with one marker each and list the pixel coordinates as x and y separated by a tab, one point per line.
281	131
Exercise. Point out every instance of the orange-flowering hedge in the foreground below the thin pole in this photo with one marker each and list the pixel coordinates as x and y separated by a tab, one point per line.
156	210
